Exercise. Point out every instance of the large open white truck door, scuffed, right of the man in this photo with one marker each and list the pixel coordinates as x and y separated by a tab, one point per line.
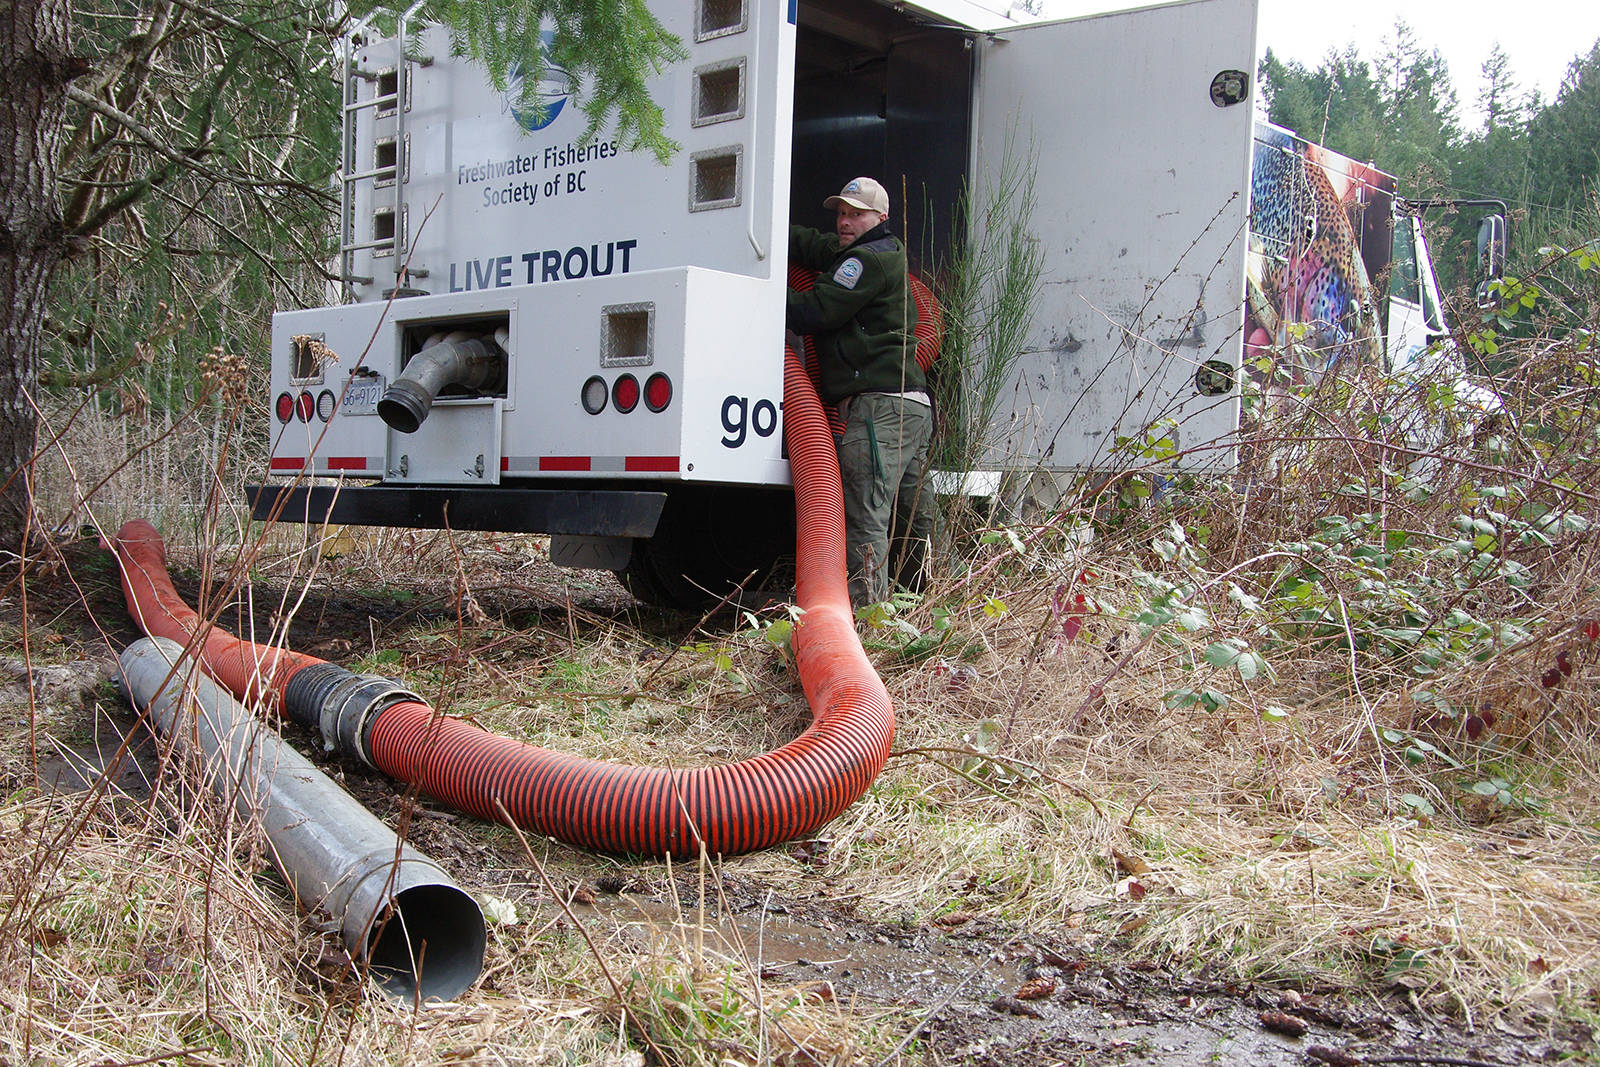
1138	126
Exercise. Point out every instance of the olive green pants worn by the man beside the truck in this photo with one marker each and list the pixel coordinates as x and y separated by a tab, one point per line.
889	505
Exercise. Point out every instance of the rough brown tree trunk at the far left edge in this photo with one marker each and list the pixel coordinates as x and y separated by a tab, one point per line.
34	73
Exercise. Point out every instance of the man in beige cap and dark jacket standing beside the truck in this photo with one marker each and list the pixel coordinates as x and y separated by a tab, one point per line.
862	318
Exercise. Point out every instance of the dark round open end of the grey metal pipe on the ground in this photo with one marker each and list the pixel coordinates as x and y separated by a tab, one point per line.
438	927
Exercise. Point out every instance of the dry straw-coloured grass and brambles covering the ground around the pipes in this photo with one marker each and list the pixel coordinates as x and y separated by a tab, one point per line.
1318	820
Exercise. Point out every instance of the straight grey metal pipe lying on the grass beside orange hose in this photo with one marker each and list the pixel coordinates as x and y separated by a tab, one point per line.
418	935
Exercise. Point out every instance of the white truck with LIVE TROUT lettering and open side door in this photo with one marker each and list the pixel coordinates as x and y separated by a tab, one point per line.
554	337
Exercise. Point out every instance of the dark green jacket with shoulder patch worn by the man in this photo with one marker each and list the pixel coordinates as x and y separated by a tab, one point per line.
860	313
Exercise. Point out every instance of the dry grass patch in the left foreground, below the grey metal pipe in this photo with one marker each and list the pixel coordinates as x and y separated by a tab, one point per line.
150	933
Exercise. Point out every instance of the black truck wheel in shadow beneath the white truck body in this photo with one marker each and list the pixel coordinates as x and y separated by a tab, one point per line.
710	541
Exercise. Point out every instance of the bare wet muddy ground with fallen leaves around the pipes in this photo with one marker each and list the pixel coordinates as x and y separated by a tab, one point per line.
977	991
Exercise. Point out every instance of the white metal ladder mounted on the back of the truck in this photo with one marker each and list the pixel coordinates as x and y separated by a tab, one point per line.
391	90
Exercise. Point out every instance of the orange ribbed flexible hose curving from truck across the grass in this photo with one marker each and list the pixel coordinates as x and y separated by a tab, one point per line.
591	804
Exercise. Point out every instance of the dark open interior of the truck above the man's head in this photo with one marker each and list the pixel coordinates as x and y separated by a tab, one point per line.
879	92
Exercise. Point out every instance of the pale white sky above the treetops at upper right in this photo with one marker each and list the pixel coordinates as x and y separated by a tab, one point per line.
1540	38
